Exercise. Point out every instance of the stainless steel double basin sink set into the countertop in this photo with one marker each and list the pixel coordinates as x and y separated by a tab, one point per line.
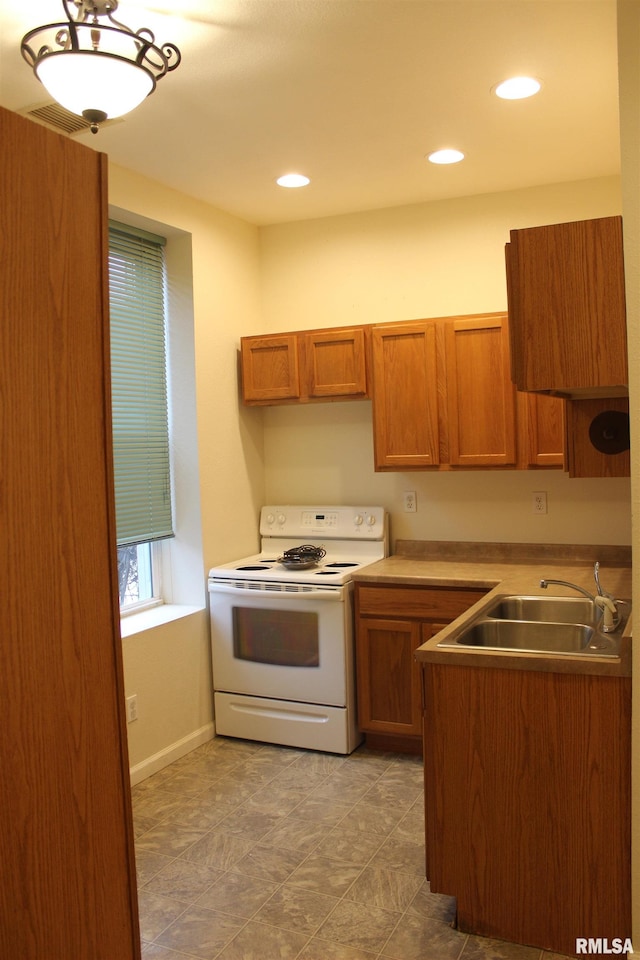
558	625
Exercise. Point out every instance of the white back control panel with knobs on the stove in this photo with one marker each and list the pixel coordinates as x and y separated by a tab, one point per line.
340	523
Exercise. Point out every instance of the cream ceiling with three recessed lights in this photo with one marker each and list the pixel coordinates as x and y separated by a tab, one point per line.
354	93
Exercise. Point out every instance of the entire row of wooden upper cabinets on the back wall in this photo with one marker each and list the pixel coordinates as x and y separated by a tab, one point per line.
441	390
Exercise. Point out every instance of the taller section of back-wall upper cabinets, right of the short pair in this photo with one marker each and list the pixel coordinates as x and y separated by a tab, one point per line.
443	398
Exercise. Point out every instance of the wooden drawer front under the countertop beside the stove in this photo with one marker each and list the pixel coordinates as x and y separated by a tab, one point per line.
432	603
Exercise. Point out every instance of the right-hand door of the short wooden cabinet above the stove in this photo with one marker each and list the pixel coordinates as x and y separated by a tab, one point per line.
336	363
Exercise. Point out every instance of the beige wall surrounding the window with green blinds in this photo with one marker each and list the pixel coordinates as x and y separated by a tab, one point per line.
168	666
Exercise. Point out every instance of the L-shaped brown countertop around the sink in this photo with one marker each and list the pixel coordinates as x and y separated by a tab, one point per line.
509	568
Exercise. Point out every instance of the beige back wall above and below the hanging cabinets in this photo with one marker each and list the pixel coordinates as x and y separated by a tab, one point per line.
426	260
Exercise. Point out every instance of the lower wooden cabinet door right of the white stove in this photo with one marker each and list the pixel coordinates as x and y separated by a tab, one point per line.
389	694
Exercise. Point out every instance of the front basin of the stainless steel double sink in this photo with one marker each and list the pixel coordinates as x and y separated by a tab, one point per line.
525	636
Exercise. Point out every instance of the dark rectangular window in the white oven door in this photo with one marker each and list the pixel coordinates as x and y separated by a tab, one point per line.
286	638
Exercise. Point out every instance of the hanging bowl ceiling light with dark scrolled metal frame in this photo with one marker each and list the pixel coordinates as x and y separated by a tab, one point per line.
95	69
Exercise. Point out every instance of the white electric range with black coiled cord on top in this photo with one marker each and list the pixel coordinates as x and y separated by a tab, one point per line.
282	639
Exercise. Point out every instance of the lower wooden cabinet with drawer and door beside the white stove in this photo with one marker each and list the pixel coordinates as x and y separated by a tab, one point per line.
391	623
